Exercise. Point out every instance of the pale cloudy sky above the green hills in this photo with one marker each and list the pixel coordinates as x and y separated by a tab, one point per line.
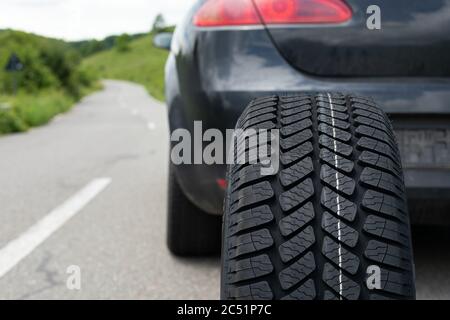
88	19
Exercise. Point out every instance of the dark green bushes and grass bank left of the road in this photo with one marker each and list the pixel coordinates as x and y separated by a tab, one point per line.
50	82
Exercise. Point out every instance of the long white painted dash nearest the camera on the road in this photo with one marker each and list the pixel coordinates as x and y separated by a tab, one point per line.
19	248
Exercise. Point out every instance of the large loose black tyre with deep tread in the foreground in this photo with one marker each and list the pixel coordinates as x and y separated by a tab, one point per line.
333	222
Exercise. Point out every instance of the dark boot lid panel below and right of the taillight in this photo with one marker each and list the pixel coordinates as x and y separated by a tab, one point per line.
413	42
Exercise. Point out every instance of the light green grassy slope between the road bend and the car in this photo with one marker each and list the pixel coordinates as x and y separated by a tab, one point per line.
142	63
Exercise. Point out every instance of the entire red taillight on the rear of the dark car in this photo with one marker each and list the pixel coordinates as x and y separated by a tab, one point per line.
250	12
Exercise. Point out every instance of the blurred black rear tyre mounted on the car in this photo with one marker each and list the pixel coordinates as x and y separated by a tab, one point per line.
190	231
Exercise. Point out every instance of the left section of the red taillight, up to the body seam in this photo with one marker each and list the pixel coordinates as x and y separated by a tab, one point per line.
226	13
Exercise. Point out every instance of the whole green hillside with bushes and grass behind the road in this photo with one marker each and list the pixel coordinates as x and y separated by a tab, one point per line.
54	75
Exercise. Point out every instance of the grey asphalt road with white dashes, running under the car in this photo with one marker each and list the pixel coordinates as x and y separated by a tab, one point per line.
115	233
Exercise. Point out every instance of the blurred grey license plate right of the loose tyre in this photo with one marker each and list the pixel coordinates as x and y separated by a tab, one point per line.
424	148
